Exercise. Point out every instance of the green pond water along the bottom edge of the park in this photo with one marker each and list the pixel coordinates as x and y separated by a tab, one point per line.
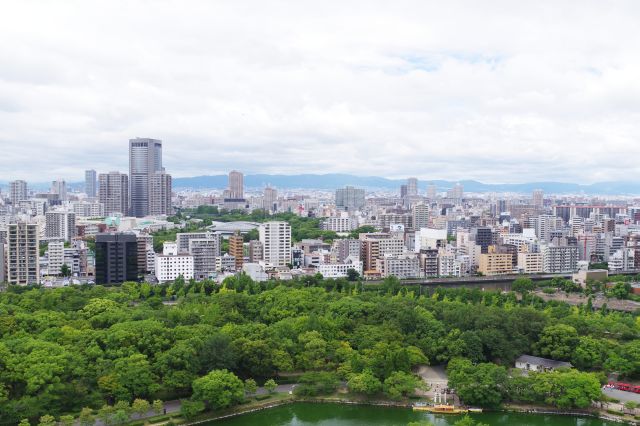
360	415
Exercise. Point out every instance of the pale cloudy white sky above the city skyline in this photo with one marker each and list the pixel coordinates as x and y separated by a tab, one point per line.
497	91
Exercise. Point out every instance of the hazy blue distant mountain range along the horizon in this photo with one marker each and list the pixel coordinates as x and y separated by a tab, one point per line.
334	180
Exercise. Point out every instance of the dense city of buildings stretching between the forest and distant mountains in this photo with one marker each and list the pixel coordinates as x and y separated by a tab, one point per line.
135	226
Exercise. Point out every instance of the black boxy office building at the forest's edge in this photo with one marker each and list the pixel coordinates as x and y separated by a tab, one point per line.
116	258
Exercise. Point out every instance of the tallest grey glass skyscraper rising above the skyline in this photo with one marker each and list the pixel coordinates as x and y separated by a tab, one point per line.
145	160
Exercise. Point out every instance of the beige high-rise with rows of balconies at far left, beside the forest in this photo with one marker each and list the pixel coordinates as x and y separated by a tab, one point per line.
23	251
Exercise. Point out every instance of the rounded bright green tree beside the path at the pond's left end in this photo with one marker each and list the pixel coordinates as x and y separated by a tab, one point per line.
218	389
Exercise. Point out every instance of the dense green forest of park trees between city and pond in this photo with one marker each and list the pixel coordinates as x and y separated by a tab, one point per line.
65	349
